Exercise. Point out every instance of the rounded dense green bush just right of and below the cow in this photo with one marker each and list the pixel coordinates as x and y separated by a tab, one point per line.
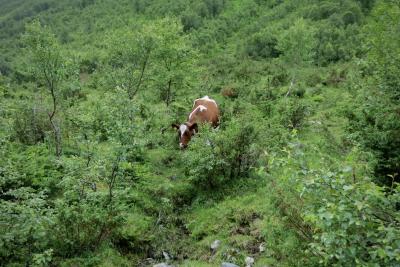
216	157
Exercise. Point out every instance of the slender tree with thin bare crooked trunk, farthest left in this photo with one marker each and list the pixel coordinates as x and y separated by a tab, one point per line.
48	67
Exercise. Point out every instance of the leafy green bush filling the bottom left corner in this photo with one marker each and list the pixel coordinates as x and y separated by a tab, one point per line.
25	218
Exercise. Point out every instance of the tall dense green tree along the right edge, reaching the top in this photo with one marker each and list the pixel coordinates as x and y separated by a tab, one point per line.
375	122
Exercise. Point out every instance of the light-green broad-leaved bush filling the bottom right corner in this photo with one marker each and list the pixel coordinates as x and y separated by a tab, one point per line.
355	222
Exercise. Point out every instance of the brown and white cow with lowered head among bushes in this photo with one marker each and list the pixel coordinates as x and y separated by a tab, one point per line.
204	109
